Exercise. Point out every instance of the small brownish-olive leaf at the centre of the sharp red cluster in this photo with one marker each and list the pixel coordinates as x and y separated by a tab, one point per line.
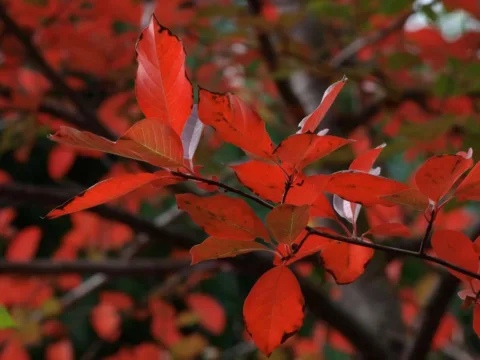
286	222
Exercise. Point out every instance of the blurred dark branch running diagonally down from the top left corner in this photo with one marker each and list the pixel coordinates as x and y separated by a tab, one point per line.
34	53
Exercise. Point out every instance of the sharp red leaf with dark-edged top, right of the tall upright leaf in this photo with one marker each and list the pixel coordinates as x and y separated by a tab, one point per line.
235	122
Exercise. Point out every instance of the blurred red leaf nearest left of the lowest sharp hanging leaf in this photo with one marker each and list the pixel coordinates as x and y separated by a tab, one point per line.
211	313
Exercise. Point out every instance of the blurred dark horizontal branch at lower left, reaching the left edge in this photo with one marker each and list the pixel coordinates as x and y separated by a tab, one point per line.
108	267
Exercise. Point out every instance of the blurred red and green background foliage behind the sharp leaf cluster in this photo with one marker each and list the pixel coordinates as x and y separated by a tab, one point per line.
414	83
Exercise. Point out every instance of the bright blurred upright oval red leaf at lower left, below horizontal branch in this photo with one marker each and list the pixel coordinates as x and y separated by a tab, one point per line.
106	322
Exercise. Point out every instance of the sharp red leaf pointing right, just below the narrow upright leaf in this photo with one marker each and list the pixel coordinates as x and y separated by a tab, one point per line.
298	151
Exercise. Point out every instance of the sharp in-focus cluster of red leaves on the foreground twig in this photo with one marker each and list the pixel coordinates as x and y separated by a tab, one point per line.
168	137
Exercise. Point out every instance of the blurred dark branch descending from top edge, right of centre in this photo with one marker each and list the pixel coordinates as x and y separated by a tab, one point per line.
271	59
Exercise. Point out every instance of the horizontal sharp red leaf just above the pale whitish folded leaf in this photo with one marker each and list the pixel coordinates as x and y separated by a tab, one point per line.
363	188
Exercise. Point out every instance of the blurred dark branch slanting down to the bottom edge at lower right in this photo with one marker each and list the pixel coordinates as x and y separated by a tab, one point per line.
433	312
